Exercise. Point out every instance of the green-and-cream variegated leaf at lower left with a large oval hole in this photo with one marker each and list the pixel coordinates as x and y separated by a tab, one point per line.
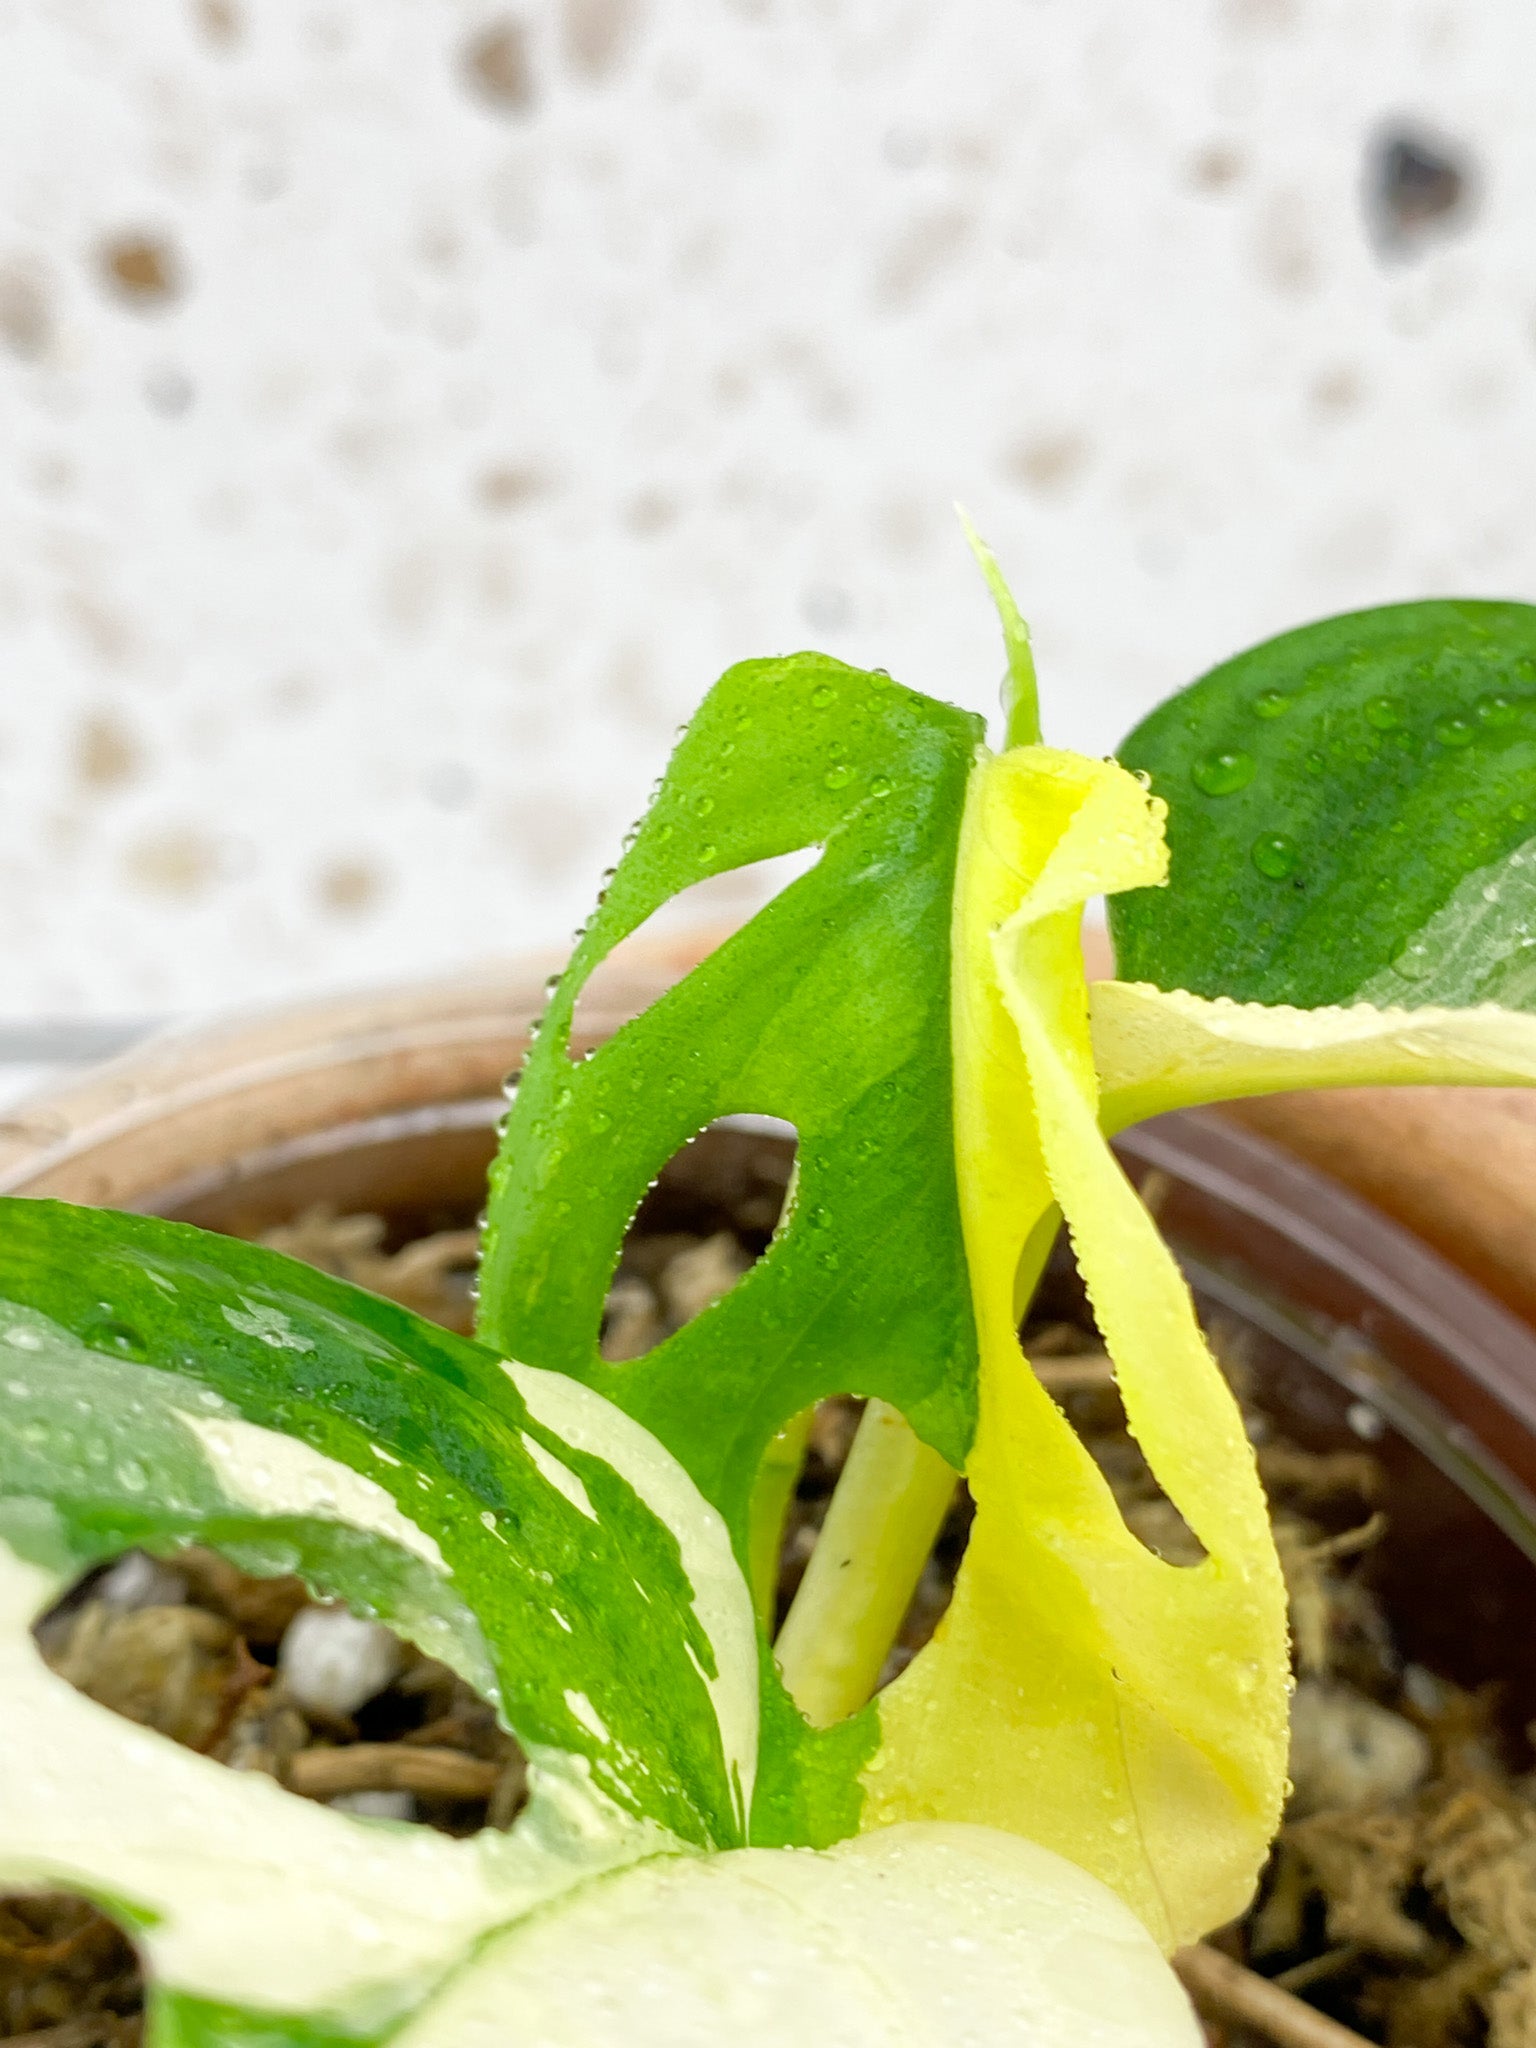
507	1521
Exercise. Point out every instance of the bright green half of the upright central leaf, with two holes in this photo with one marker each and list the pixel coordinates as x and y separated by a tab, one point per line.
830	1011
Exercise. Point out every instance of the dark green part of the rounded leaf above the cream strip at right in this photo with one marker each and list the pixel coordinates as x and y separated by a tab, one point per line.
1338	802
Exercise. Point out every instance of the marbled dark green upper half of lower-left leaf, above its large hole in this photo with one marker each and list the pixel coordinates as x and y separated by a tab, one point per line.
165	1385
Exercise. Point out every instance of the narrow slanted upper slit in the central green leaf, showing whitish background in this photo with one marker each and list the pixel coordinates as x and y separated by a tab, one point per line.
677	937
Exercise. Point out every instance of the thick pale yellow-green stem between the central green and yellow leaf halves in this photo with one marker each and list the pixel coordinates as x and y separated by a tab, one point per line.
873	1547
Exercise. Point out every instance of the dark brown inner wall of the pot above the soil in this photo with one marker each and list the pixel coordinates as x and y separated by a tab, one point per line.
1355	1336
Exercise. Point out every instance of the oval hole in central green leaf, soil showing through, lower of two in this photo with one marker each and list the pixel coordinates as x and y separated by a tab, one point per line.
706	1222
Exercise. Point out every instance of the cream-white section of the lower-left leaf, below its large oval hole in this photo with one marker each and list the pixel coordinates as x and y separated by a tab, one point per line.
261	1916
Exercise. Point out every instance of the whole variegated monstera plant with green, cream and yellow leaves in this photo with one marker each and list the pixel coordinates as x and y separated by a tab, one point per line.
1322	863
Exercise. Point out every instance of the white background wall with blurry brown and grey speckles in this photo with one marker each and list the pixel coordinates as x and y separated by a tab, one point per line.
411	404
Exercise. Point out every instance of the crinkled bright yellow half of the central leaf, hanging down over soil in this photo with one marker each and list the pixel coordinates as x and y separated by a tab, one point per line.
1117	1709
